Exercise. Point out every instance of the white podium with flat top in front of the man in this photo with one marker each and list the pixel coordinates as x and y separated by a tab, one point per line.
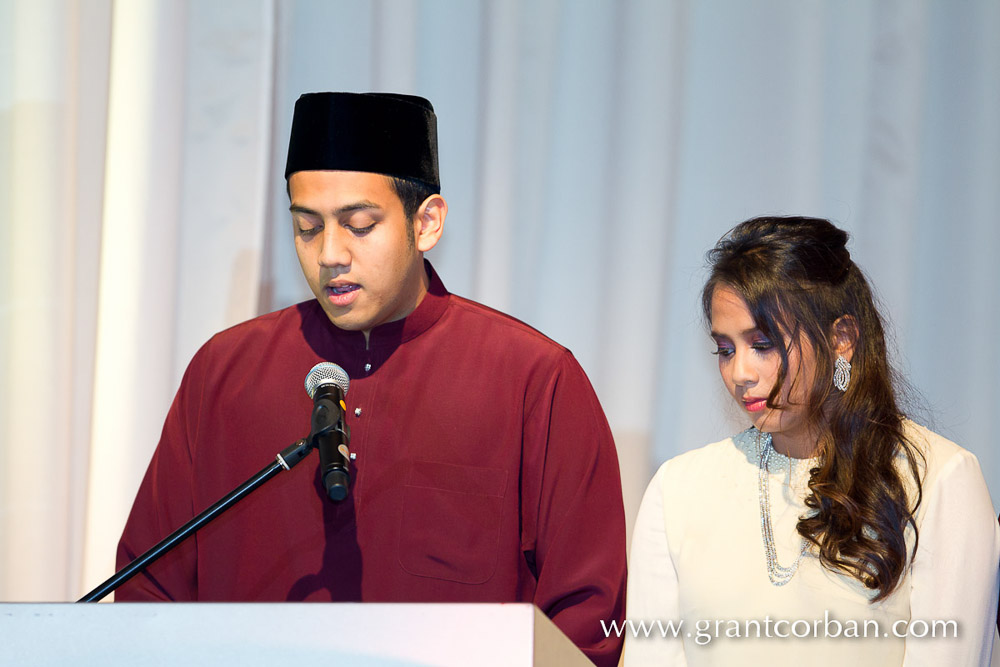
285	633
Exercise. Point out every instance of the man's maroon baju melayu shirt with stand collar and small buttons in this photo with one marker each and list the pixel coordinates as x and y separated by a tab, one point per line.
485	471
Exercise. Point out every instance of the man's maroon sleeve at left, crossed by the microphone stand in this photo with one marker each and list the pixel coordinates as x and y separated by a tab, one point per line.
164	503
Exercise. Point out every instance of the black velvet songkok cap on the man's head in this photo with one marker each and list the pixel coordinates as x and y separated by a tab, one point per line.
384	133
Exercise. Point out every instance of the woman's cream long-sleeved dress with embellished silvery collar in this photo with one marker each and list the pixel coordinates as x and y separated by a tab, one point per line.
697	558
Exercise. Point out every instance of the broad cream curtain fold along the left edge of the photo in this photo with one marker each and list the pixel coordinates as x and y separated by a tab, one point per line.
52	101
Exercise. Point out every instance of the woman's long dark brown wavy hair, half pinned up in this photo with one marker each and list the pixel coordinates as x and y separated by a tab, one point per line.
797	278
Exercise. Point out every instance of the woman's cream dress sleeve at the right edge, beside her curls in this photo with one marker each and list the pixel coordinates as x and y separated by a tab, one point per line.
954	571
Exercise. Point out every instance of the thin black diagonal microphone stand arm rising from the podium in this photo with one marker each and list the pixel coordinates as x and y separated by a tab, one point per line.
285	460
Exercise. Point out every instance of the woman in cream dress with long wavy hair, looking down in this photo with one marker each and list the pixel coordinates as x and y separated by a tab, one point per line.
833	531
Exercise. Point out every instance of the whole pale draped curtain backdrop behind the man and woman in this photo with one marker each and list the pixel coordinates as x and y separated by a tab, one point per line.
591	152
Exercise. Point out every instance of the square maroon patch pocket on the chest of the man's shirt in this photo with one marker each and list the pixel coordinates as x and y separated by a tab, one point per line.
450	521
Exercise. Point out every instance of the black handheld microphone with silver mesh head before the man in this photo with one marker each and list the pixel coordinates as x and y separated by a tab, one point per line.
327	385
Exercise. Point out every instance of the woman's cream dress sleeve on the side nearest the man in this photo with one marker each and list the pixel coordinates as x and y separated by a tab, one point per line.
652	588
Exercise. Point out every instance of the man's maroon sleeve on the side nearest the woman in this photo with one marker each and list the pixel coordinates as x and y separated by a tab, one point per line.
575	540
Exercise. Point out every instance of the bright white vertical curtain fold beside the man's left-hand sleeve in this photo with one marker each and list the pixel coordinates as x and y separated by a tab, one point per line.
137	296
